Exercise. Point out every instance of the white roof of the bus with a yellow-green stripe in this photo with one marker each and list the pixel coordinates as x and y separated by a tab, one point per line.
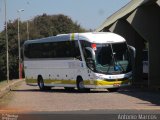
94	37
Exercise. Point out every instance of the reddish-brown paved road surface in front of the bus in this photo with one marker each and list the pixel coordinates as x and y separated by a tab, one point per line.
29	99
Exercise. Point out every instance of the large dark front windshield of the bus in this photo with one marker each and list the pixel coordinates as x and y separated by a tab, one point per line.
112	58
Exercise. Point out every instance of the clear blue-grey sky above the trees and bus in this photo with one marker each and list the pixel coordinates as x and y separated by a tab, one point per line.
90	14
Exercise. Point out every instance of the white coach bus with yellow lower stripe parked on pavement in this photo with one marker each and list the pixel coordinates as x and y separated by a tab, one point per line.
79	60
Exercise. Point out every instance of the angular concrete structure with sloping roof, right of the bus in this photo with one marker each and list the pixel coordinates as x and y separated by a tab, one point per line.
139	22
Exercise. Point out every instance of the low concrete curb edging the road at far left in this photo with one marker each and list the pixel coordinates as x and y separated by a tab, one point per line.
8	88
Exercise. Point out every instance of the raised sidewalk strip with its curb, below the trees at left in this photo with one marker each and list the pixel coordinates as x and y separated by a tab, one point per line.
6	87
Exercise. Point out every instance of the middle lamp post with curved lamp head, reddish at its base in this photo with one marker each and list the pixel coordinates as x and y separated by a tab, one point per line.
19	47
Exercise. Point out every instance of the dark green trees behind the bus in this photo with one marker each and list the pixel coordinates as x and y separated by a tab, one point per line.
41	26
